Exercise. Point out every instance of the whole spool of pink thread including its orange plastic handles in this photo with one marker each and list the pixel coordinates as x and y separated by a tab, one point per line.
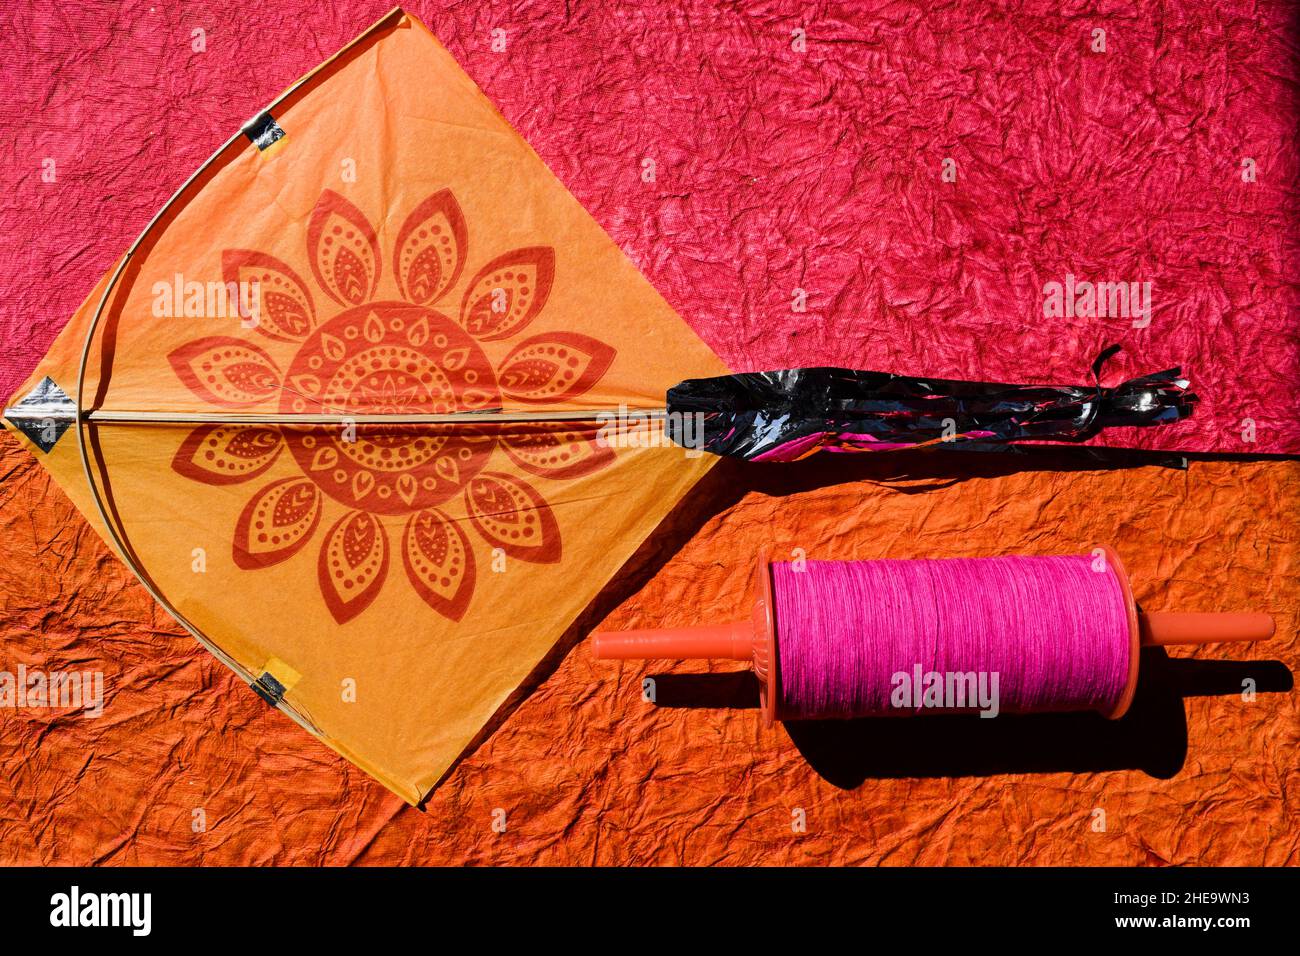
838	639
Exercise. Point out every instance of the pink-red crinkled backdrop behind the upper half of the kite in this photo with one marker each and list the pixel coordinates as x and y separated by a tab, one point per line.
775	171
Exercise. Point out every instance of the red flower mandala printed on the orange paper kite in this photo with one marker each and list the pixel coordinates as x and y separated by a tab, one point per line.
374	356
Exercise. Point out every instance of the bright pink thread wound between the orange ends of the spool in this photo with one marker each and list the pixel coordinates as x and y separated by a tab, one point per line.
1055	631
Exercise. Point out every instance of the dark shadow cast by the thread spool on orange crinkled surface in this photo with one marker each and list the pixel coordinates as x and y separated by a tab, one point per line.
1152	737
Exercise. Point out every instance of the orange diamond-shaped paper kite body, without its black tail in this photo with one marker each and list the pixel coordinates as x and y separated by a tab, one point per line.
337	406
